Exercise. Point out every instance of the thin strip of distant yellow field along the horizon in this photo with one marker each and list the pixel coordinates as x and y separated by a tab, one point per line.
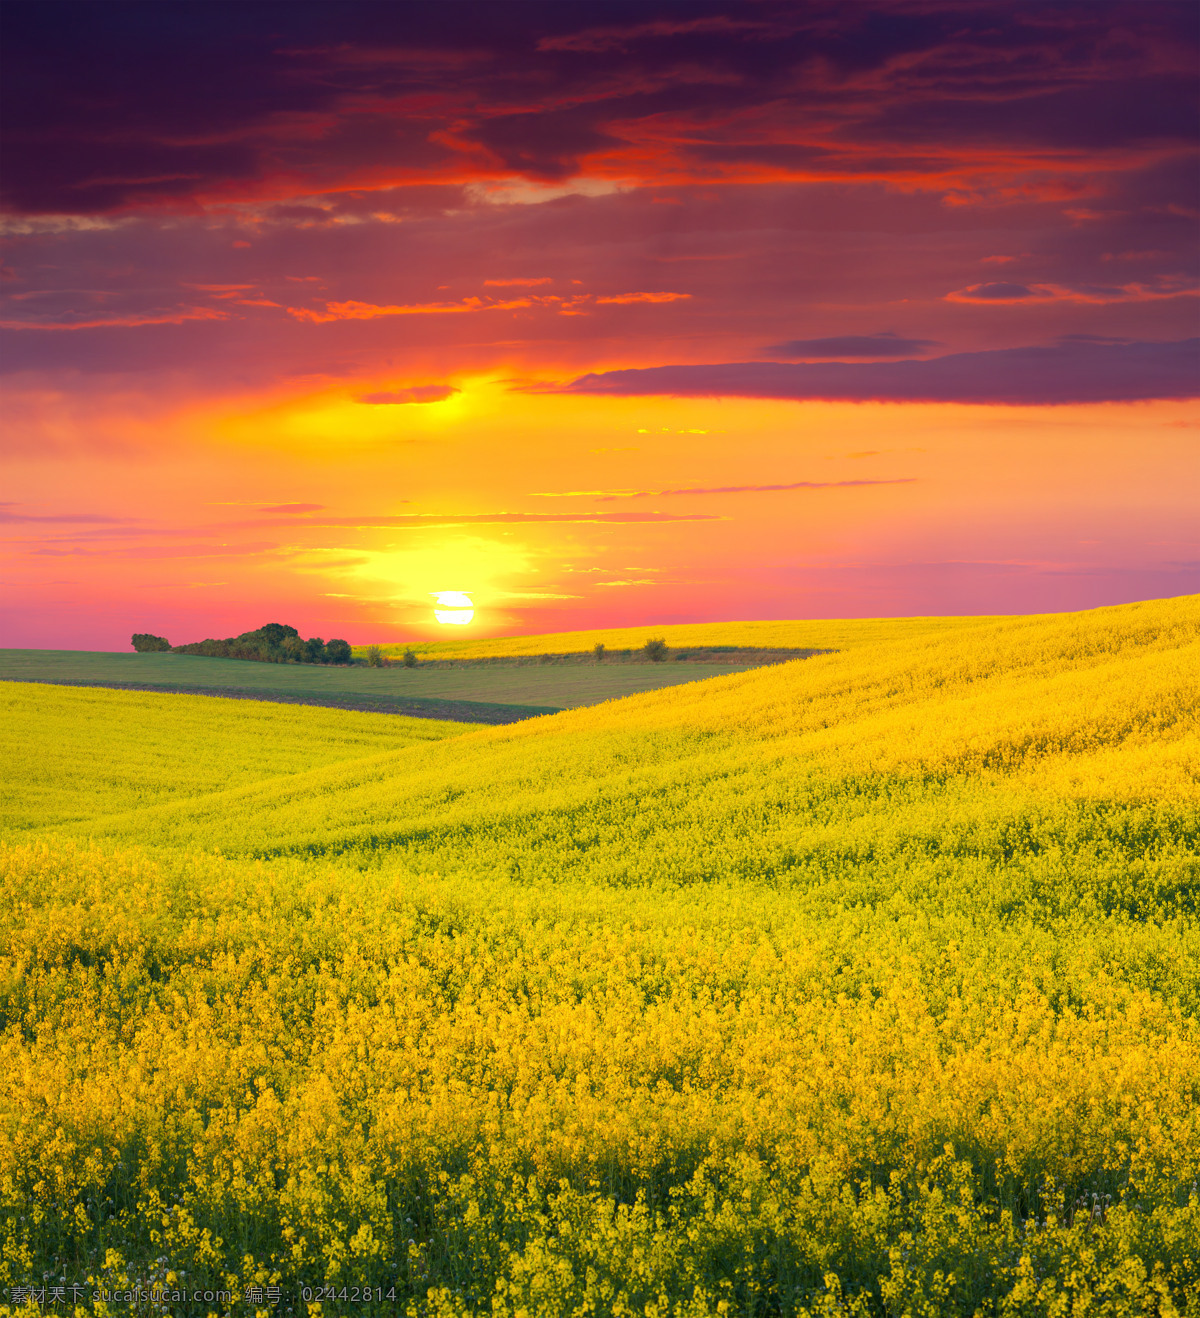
808	635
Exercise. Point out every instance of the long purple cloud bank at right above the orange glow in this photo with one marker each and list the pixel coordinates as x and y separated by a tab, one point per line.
1073	372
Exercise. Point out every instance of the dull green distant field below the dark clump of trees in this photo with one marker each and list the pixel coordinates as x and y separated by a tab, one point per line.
490	694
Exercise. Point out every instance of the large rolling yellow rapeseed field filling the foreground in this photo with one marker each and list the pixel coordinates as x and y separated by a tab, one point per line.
862	985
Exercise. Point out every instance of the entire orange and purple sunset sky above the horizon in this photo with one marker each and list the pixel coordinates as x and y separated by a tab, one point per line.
602	313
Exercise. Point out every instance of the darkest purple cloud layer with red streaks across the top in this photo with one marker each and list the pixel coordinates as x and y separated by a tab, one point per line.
127	105
